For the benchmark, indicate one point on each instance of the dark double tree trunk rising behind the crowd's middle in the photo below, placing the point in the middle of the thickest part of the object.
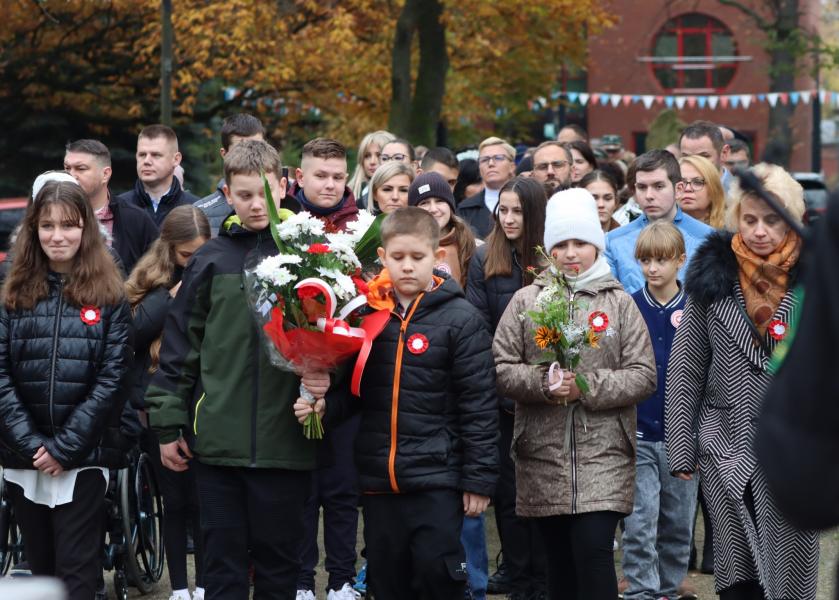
(416, 116)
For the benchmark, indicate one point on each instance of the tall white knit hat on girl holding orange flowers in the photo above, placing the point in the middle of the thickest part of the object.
(572, 215)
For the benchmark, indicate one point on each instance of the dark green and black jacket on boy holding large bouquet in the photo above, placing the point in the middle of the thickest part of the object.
(215, 383)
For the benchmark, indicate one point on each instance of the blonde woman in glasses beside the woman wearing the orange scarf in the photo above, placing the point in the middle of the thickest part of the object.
(702, 195)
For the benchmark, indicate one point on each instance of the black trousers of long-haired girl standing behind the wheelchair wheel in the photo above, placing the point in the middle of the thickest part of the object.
(180, 514)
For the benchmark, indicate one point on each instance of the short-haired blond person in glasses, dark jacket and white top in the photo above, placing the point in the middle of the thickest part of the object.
(497, 163)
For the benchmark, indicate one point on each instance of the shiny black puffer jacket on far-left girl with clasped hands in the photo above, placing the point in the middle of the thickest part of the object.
(60, 381)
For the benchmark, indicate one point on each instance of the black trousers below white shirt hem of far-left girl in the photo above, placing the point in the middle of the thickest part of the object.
(65, 541)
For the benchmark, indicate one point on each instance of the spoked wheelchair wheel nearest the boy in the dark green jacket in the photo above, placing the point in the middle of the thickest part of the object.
(141, 513)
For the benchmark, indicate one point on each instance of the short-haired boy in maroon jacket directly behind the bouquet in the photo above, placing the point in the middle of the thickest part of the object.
(320, 187)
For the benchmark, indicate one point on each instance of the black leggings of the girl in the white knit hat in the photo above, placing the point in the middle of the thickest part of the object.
(581, 563)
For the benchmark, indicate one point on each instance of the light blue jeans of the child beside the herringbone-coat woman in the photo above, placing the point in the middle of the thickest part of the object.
(656, 543)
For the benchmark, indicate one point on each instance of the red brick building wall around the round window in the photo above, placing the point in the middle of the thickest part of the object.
(613, 67)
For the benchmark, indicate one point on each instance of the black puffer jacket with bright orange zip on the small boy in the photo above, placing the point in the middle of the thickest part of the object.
(429, 417)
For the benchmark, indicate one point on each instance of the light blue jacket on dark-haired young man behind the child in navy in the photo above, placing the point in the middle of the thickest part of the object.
(620, 248)
